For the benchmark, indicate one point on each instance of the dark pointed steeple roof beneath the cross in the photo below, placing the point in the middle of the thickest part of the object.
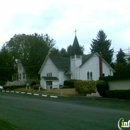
(76, 50)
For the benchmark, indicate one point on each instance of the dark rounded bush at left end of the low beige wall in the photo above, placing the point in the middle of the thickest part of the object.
(102, 87)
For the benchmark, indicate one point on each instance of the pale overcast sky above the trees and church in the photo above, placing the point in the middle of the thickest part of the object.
(60, 18)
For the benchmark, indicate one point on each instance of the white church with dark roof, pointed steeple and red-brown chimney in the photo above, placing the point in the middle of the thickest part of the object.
(55, 70)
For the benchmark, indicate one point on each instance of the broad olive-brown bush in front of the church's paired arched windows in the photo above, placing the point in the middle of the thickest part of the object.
(85, 87)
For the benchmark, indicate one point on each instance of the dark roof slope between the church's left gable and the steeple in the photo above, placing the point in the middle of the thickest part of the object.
(61, 63)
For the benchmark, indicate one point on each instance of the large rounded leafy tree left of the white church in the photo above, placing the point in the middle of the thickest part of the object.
(31, 50)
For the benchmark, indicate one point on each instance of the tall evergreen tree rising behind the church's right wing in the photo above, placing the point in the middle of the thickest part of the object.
(101, 44)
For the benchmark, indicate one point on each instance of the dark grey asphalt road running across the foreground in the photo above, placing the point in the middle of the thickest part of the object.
(40, 113)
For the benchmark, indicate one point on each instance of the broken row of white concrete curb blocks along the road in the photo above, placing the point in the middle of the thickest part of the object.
(29, 93)
